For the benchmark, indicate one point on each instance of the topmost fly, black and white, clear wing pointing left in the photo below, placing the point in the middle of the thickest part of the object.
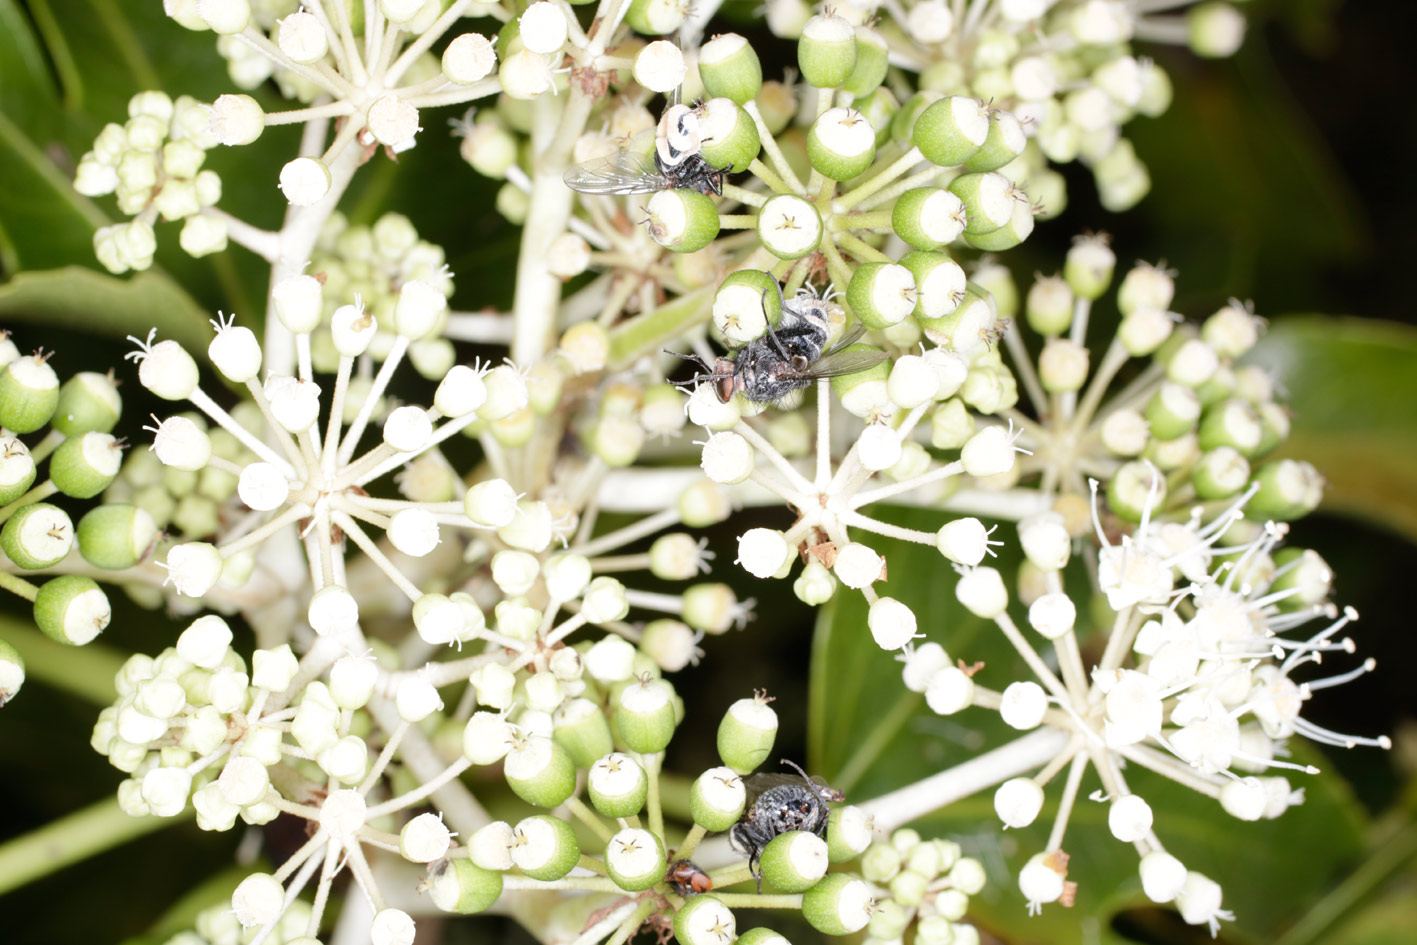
(674, 162)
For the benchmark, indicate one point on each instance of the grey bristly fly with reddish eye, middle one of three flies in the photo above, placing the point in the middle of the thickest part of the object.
(787, 358)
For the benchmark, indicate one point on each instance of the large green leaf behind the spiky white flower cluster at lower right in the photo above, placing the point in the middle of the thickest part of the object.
(869, 736)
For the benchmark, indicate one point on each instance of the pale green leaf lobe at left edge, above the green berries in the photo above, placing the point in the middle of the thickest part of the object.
(83, 300)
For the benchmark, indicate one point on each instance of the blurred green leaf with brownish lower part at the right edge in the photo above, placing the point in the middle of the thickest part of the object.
(1353, 389)
